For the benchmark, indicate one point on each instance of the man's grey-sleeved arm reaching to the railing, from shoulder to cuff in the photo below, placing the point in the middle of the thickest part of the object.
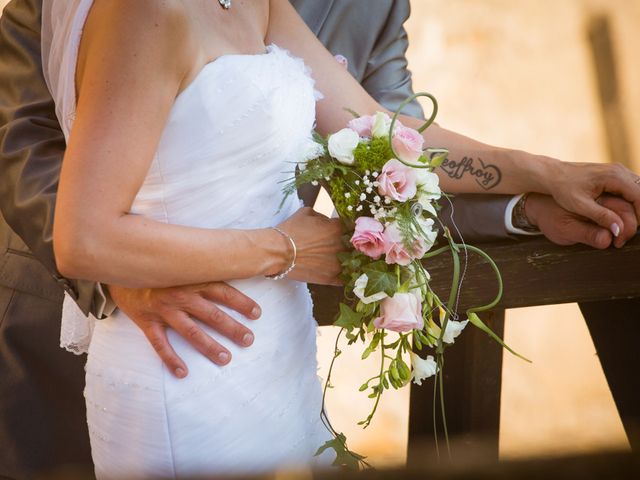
(377, 57)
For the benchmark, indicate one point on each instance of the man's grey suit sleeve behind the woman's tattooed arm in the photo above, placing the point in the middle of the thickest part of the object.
(387, 78)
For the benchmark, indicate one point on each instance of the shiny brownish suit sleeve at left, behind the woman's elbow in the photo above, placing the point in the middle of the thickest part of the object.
(32, 146)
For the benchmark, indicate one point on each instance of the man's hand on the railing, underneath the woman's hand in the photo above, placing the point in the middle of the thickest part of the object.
(566, 228)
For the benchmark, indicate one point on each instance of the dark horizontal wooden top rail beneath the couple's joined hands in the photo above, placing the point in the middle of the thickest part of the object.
(535, 272)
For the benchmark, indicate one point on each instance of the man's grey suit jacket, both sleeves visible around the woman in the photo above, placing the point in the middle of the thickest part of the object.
(31, 143)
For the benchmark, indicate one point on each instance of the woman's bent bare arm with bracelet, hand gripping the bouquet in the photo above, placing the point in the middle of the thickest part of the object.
(135, 60)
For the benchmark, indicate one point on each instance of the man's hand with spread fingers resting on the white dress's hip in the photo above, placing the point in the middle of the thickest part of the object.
(153, 310)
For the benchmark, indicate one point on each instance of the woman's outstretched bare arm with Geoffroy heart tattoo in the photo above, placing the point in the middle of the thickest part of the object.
(574, 186)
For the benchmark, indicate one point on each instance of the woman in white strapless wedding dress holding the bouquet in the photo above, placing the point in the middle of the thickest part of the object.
(181, 118)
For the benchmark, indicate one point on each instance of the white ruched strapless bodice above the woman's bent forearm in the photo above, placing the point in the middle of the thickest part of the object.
(233, 135)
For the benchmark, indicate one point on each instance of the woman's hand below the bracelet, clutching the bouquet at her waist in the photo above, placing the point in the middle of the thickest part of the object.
(317, 240)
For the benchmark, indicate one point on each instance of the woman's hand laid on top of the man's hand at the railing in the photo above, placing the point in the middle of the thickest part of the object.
(577, 187)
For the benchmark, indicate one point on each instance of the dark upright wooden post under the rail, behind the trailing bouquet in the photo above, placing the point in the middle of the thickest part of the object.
(472, 385)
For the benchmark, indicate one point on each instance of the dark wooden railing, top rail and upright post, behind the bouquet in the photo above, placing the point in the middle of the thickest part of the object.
(535, 272)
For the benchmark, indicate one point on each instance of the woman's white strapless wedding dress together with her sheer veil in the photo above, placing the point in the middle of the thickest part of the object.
(231, 136)
